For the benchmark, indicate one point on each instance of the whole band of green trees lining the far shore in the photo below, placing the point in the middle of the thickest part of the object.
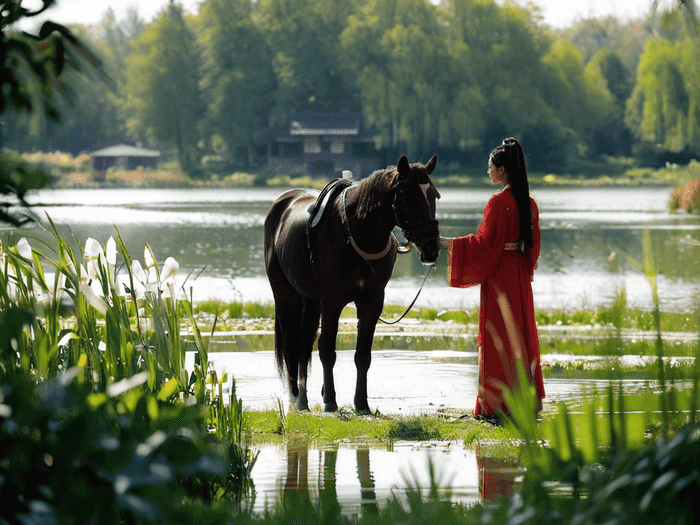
(453, 78)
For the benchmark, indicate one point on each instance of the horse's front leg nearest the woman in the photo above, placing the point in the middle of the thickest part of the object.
(368, 312)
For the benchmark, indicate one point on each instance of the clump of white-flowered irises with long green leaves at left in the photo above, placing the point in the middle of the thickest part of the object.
(126, 332)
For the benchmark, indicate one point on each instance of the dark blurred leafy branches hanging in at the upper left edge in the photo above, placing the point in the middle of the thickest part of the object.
(32, 71)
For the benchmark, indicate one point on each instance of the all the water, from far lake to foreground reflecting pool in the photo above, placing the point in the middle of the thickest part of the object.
(217, 237)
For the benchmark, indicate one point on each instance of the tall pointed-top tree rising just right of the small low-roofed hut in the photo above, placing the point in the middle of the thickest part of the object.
(162, 77)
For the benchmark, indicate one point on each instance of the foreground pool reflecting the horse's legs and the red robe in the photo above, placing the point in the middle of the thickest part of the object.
(361, 478)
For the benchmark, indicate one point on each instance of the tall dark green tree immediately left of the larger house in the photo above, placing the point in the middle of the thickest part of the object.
(238, 81)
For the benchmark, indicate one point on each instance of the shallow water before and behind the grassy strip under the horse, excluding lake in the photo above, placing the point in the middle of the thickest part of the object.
(361, 477)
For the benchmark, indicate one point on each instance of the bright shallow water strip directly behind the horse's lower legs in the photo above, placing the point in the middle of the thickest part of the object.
(404, 382)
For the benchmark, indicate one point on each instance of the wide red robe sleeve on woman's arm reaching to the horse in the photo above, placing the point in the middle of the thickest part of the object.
(474, 258)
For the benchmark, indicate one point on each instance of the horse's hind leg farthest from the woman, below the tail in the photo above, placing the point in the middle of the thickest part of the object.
(288, 320)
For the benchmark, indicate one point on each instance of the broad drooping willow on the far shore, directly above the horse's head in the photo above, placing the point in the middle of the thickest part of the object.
(414, 82)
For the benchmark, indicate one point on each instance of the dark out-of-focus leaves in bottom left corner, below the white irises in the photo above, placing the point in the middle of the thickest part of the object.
(130, 455)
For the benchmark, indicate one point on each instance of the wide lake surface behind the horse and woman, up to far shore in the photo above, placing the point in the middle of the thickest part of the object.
(219, 232)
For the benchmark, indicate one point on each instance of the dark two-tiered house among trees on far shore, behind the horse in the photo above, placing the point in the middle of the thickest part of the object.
(321, 144)
